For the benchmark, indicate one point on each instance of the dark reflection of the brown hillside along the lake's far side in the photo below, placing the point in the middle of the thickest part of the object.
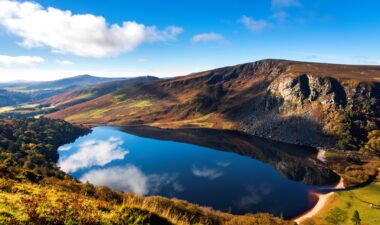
(298, 163)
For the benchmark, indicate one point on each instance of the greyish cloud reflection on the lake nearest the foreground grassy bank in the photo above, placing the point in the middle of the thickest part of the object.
(131, 179)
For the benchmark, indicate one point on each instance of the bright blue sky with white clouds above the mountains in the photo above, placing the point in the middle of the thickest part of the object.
(47, 40)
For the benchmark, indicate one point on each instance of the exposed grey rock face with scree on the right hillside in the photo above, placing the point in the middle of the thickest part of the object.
(299, 107)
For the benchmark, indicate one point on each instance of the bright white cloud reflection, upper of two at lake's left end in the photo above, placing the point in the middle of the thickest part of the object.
(93, 153)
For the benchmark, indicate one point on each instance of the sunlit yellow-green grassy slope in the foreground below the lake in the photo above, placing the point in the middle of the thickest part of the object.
(20, 201)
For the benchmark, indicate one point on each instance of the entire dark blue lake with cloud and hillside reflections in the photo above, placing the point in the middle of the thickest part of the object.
(228, 171)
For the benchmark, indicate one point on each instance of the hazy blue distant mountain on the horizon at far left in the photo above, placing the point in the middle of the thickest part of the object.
(27, 91)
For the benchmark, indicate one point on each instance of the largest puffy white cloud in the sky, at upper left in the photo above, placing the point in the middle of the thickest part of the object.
(78, 34)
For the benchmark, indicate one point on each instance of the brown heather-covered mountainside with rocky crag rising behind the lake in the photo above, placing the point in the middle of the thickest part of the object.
(294, 102)
